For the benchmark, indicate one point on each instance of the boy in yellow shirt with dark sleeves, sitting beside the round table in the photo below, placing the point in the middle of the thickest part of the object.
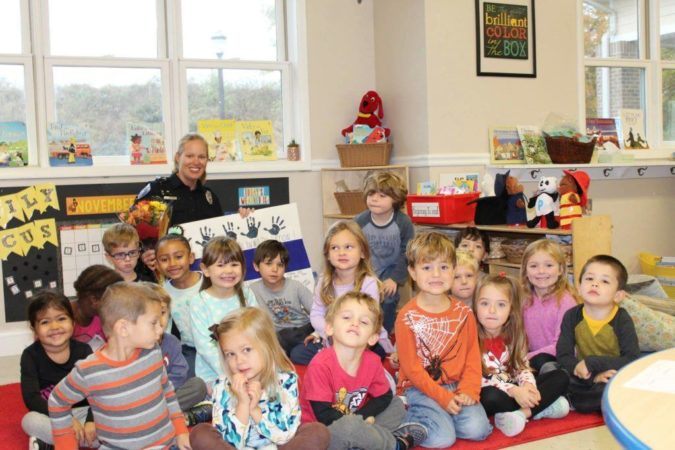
(597, 338)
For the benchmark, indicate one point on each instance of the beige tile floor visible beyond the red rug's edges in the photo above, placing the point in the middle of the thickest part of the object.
(598, 438)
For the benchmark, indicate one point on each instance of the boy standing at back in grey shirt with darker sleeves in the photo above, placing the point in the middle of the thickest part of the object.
(388, 231)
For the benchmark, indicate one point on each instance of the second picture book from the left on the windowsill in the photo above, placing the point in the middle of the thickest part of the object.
(68, 145)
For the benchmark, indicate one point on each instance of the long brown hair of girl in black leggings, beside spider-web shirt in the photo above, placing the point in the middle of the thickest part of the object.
(513, 330)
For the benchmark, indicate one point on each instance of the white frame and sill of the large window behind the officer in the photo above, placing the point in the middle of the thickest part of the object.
(39, 89)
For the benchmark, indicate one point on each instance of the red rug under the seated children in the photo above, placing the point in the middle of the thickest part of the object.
(12, 437)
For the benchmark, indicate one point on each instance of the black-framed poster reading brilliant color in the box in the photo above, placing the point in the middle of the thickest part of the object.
(505, 38)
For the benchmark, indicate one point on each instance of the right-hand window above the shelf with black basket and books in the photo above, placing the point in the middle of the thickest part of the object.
(627, 49)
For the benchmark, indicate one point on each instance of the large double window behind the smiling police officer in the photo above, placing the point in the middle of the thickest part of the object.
(106, 67)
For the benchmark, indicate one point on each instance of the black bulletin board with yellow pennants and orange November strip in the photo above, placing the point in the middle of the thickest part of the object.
(38, 264)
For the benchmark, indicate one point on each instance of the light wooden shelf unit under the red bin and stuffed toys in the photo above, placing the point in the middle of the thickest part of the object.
(591, 235)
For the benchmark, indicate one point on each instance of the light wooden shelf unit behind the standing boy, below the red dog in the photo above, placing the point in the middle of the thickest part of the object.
(353, 178)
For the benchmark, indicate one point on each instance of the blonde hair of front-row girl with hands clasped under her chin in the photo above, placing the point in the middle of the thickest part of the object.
(257, 325)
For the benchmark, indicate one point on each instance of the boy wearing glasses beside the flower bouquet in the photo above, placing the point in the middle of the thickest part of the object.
(122, 249)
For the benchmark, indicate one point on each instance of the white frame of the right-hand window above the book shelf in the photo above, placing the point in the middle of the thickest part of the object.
(649, 44)
